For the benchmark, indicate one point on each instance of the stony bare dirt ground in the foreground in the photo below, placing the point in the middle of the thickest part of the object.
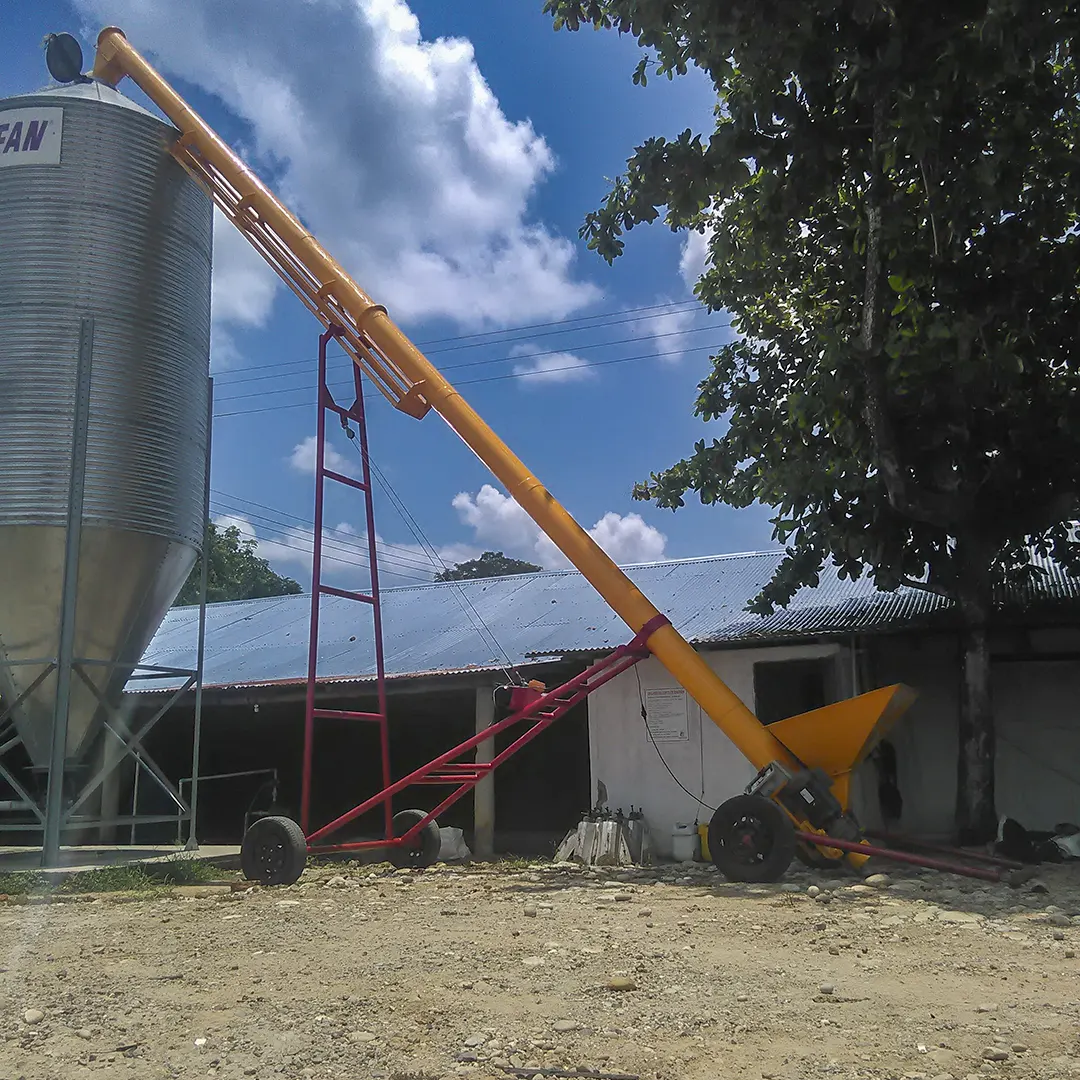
(360, 973)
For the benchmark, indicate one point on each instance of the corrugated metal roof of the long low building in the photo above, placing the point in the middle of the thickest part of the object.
(448, 628)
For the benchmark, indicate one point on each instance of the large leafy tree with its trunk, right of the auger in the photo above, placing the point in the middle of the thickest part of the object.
(890, 199)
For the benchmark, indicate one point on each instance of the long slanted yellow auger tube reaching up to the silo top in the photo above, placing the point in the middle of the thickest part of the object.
(339, 292)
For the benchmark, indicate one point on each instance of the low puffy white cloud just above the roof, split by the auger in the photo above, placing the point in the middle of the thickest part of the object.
(498, 522)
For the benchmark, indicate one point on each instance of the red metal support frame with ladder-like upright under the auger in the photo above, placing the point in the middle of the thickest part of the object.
(535, 709)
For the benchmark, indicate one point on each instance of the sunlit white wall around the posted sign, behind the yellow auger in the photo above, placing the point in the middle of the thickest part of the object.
(626, 762)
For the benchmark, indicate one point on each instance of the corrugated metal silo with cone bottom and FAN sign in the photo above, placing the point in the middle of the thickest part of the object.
(98, 222)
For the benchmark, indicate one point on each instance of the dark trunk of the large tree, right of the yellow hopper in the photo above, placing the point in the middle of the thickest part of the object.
(977, 820)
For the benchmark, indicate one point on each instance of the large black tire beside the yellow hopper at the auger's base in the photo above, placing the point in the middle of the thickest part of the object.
(752, 840)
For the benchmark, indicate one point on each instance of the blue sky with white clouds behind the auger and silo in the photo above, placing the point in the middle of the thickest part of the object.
(447, 155)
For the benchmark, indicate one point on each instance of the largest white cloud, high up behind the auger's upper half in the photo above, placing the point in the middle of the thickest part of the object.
(394, 150)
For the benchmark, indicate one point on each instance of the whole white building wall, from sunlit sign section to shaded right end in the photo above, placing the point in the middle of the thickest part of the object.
(1037, 710)
